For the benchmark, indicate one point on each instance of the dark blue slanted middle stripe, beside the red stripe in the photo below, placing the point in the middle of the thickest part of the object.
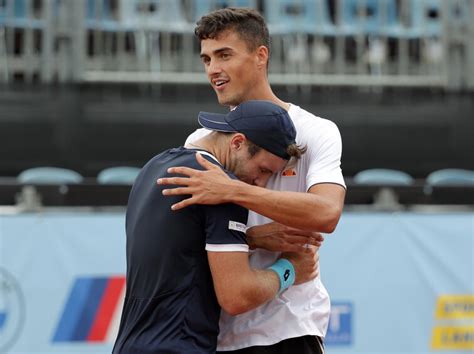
(89, 312)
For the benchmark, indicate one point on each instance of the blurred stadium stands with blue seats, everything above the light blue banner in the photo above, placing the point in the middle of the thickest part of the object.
(149, 45)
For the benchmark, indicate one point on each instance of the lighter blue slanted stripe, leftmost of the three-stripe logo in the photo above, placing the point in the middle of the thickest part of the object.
(75, 305)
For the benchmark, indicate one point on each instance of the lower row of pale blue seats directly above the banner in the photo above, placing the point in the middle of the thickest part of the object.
(380, 188)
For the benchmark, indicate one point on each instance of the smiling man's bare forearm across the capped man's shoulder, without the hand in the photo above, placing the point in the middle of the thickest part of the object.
(306, 211)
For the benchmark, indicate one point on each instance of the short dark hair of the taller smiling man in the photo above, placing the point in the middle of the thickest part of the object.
(246, 22)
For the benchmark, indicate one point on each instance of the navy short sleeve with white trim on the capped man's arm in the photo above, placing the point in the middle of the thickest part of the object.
(225, 228)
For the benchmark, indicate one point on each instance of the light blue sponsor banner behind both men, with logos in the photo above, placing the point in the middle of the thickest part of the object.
(399, 282)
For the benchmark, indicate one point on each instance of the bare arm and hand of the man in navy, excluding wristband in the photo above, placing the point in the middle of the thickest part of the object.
(240, 288)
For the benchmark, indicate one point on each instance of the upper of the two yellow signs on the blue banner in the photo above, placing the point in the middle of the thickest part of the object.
(455, 307)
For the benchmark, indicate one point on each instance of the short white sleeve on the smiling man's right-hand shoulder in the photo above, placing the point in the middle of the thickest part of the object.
(325, 158)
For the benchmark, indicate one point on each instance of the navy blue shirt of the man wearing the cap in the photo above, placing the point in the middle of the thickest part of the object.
(170, 304)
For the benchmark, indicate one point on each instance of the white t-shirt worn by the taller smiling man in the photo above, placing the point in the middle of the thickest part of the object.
(302, 309)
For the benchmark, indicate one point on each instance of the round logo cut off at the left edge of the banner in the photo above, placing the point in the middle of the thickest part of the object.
(12, 310)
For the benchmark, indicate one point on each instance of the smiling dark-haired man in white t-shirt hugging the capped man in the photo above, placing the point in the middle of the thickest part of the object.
(308, 195)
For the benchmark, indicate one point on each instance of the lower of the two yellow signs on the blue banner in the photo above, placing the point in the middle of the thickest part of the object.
(453, 337)
